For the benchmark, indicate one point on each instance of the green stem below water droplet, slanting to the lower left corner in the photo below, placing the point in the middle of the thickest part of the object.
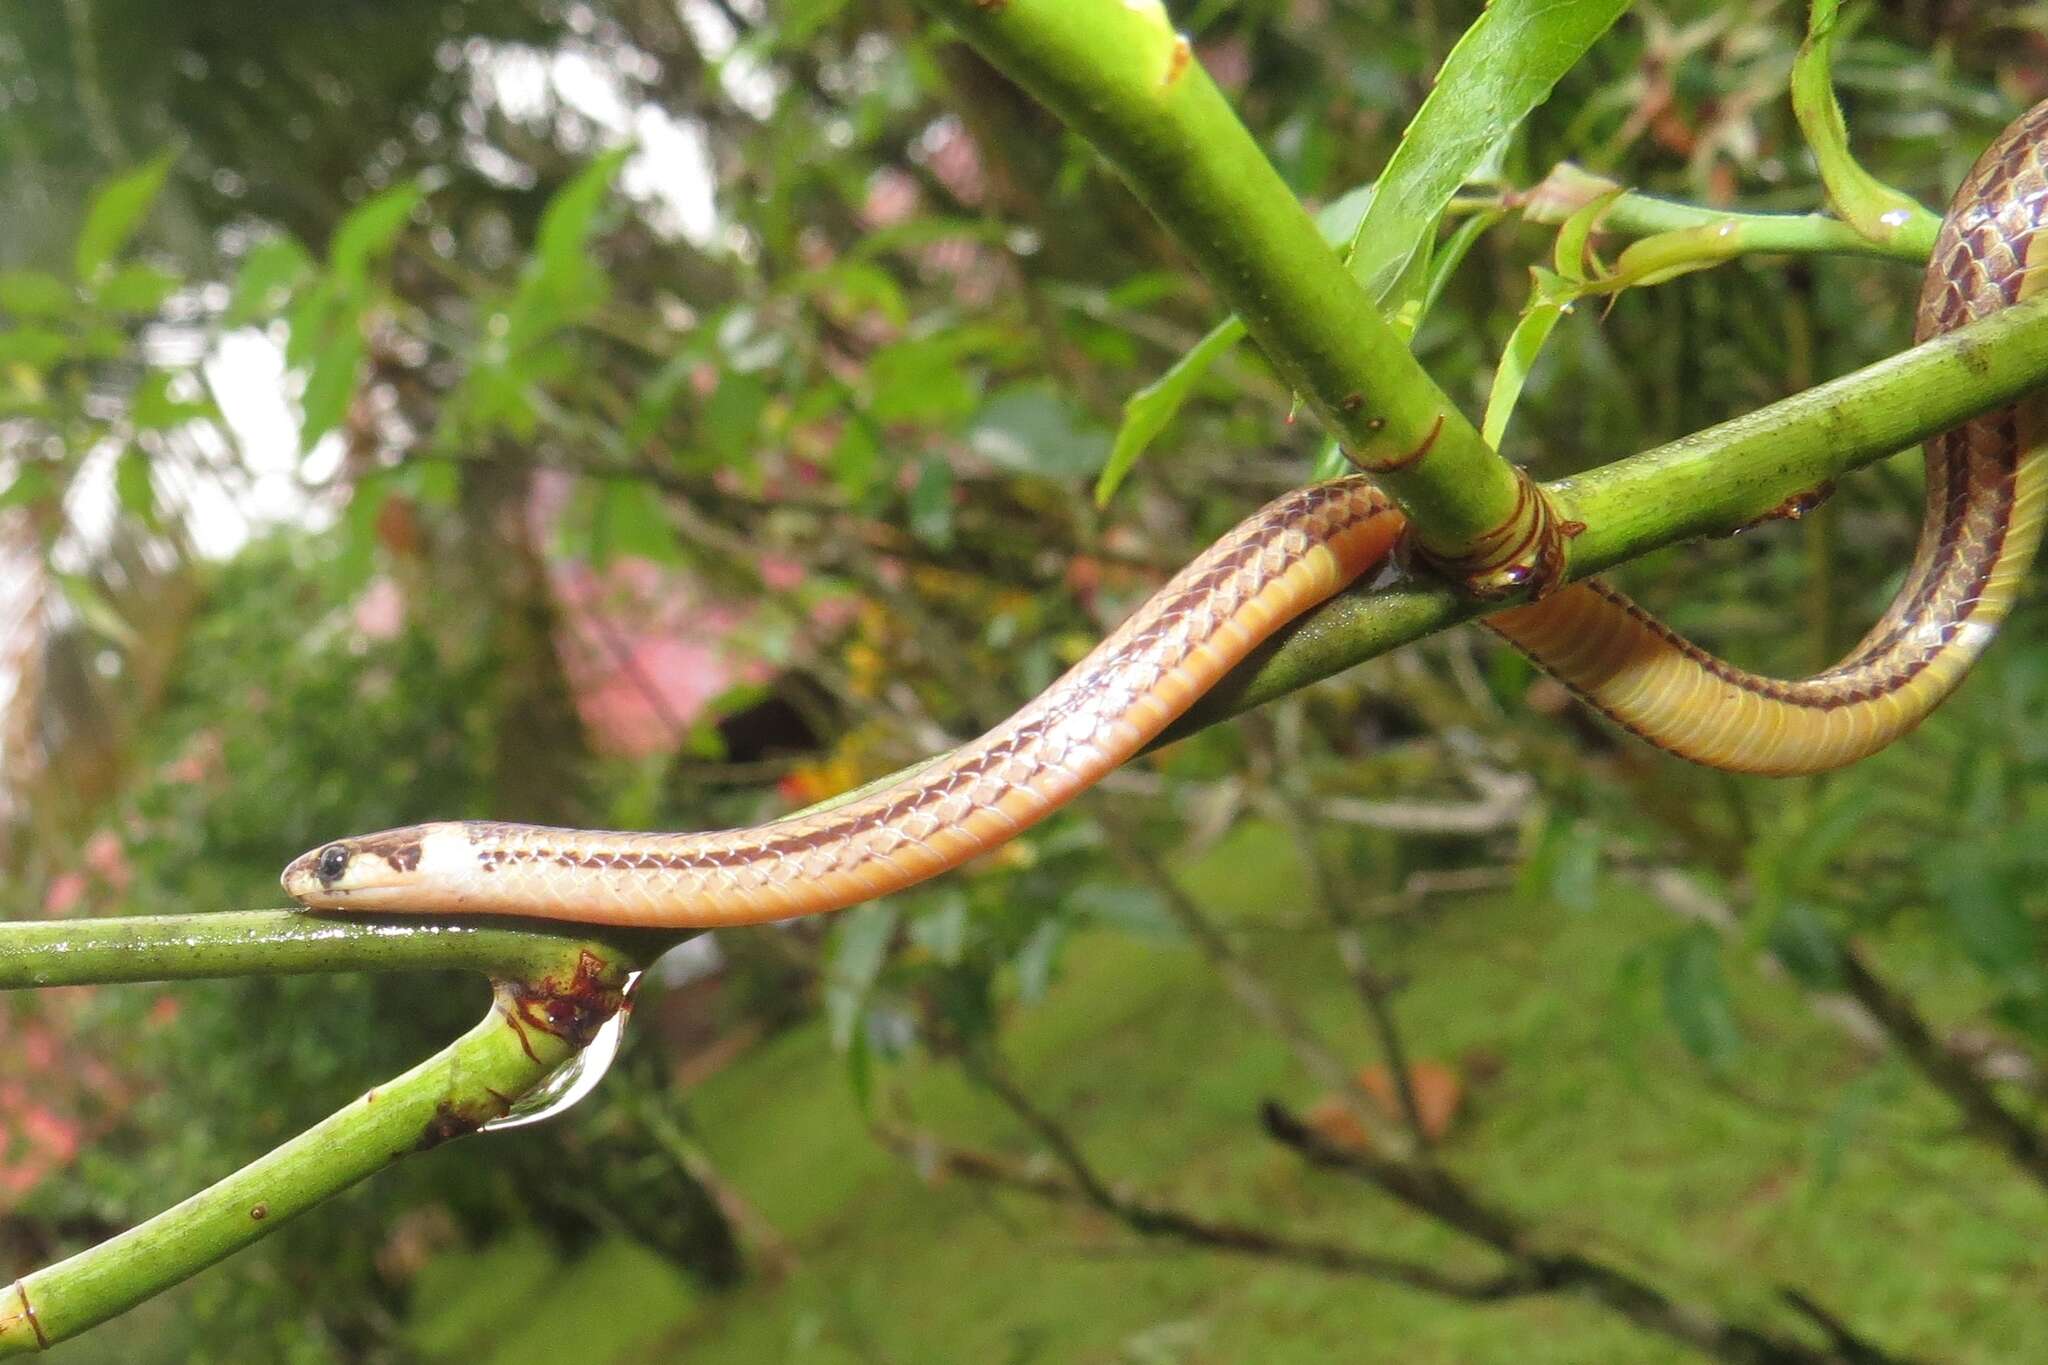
(447, 1096)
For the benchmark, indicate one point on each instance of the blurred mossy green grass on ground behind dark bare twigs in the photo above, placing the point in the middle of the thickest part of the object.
(1807, 1163)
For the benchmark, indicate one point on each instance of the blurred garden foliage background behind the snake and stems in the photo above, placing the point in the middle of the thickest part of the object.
(671, 412)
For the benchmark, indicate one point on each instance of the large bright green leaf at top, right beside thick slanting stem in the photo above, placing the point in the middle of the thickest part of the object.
(1500, 71)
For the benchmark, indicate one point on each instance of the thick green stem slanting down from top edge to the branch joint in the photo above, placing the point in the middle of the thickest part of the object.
(1119, 75)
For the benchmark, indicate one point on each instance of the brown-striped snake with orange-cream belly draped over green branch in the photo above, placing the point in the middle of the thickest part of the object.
(1983, 525)
